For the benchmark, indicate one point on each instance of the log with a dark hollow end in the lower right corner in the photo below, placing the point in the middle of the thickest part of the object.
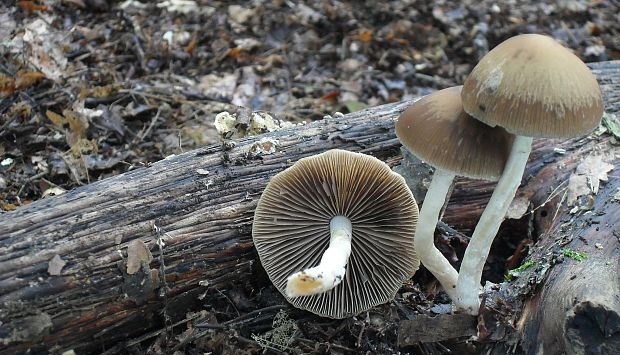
(575, 307)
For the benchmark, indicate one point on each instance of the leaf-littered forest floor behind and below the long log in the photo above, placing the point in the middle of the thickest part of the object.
(94, 88)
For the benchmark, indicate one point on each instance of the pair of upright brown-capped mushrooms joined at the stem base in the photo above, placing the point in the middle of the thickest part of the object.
(529, 86)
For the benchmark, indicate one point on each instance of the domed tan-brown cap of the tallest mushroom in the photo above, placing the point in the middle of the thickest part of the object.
(533, 86)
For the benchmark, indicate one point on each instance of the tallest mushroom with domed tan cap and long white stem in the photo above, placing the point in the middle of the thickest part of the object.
(533, 87)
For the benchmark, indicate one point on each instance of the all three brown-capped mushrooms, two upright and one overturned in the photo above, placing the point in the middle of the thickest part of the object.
(334, 232)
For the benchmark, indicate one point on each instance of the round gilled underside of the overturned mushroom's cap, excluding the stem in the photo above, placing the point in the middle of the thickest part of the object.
(291, 228)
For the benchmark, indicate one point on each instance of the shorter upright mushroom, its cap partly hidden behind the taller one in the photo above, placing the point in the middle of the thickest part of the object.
(438, 131)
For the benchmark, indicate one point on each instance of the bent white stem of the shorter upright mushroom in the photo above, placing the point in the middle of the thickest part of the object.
(424, 243)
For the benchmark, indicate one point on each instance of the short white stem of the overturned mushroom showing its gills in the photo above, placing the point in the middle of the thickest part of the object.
(330, 272)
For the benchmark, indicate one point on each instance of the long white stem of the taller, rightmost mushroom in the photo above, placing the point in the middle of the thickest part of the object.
(470, 274)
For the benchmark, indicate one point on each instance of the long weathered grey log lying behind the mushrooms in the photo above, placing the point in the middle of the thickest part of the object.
(64, 276)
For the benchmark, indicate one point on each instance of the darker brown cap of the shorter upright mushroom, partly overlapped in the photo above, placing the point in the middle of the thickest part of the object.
(438, 131)
